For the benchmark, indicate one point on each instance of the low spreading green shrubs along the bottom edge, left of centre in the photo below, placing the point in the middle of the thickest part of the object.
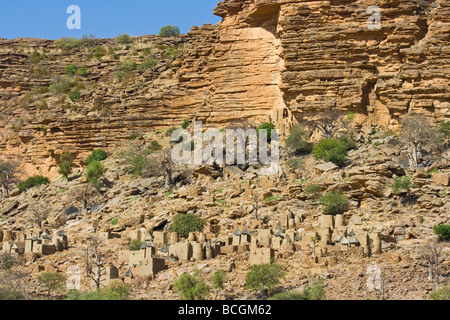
(116, 291)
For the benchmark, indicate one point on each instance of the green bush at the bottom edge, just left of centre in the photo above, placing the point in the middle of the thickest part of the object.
(191, 287)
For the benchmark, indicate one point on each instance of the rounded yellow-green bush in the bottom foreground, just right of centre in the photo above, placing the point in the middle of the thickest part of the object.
(264, 277)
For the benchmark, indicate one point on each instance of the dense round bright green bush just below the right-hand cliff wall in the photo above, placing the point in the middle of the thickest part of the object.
(333, 150)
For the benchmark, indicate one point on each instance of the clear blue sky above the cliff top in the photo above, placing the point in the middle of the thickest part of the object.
(103, 18)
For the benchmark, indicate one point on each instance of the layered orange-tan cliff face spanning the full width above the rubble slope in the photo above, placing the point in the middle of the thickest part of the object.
(296, 56)
